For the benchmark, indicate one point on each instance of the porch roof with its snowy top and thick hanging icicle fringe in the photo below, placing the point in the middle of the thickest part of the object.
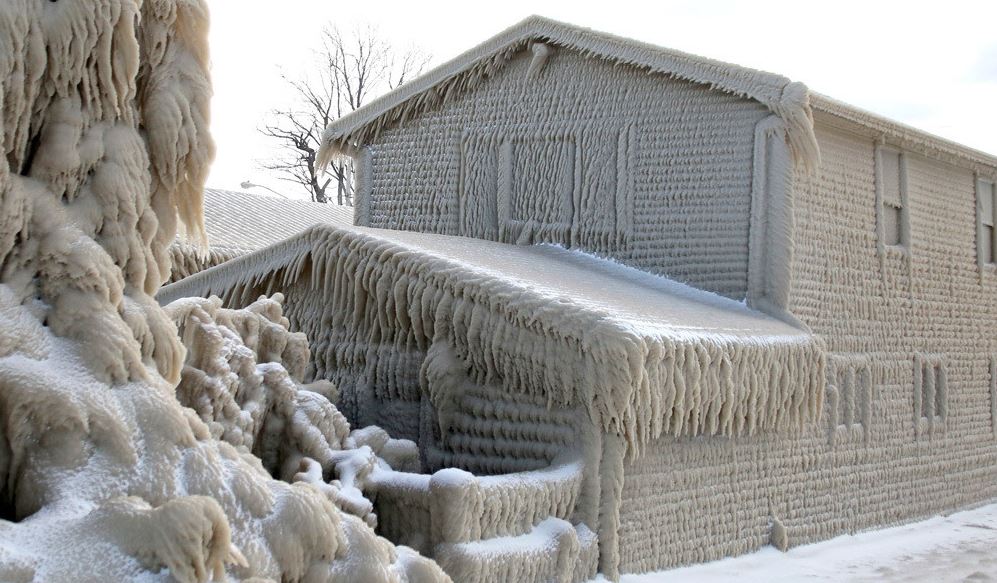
(643, 353)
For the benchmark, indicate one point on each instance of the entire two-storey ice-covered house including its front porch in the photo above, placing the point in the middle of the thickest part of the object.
(841, 376)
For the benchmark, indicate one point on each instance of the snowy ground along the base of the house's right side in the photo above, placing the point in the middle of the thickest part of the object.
(960, 547)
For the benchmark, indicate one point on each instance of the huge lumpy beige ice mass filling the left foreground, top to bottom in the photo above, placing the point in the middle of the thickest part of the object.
(105, 476)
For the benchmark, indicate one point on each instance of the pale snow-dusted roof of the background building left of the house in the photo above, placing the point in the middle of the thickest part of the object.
(241, 222)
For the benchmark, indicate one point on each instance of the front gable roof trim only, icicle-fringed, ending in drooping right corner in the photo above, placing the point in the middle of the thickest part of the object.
(785, 98)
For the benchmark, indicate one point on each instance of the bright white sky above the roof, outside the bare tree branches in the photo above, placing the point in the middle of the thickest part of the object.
(930, 65)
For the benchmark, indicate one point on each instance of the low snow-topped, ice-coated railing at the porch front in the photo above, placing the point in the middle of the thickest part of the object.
(461, 519)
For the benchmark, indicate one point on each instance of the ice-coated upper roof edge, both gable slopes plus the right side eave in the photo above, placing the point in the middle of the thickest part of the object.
(791, 101)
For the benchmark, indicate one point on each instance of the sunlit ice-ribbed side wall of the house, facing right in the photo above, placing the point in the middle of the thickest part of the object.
(883, 313)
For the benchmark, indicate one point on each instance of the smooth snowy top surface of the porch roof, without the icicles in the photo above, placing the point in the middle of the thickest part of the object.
(643, 303)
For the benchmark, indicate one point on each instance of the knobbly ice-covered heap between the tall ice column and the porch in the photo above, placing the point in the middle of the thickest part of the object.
(242, 376)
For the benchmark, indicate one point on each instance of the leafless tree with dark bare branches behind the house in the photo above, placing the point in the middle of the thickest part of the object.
(350, 70)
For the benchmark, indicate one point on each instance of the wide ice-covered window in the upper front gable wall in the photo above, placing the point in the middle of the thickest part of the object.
(566, 186)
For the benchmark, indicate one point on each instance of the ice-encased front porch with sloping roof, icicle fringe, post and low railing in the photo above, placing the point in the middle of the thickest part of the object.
(511, 357)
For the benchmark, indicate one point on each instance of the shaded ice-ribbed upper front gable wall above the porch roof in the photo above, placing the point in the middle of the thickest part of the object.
(578, 150)
